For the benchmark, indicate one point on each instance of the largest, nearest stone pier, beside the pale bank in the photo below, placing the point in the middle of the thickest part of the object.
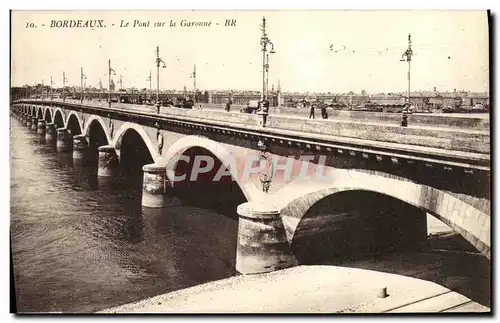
(262, 245)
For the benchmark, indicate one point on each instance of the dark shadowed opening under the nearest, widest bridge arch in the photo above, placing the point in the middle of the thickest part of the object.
(357, 223)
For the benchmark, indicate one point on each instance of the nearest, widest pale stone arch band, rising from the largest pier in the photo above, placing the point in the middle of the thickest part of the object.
(473, 225)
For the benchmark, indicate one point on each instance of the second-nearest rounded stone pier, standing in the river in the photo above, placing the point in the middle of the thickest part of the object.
(154, 187)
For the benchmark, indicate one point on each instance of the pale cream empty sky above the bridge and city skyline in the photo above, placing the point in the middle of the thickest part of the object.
(316, 51)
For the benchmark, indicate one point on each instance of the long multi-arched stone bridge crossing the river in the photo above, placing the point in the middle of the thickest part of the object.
(378, 180)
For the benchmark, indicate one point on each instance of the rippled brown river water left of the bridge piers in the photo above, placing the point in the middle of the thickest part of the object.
(80, 246)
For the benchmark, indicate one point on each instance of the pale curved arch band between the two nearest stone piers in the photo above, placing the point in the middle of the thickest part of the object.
(186, 143)
